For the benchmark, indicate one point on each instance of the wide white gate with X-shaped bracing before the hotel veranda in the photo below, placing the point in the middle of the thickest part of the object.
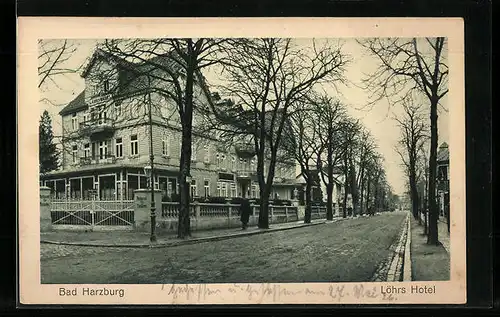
(92, 213)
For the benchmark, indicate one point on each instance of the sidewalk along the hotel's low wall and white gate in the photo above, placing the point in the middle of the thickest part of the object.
(133, 239)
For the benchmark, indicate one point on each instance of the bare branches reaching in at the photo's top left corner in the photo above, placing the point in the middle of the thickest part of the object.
(52, 58)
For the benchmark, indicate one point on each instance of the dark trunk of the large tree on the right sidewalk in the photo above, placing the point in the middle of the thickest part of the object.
(432, 237)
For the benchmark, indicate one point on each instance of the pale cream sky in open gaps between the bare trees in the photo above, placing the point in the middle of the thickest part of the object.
(378, 119)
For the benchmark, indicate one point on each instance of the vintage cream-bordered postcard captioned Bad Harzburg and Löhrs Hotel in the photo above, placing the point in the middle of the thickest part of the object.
(241, 161)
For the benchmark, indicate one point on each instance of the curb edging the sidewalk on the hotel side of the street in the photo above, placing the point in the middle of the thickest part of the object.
(187, 242)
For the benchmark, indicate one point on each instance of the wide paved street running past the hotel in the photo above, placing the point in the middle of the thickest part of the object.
(348, 250)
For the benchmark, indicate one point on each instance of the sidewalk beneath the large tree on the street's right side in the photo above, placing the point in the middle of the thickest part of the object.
(429, 262)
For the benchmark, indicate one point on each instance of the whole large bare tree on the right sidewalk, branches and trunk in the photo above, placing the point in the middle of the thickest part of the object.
(408, 66)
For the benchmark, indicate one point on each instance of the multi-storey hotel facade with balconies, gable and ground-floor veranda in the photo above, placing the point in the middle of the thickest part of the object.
(106, 143)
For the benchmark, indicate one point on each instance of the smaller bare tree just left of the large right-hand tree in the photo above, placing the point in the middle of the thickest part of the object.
(413, 136)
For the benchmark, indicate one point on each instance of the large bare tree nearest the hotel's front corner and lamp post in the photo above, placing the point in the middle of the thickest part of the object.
(173, 69)
